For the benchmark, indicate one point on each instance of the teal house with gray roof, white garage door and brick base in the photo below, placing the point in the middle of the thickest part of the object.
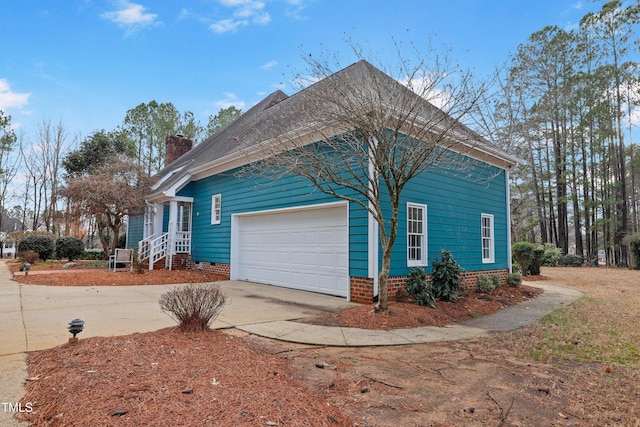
(209, 211)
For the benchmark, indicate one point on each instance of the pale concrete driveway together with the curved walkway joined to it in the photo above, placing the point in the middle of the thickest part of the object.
(35, 318)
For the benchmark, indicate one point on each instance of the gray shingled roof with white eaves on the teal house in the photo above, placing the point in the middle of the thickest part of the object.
(278, 114)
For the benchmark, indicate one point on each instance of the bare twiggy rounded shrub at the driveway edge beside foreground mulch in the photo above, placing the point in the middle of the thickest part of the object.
(193, 306)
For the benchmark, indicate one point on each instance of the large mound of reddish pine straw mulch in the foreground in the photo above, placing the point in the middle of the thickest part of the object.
(172, 378)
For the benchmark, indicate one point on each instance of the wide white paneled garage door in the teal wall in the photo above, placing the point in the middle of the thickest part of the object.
(304, 249)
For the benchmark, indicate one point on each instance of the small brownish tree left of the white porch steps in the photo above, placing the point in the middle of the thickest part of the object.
(108, 195)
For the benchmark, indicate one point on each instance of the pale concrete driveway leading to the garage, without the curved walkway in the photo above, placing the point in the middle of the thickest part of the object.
(35, 317)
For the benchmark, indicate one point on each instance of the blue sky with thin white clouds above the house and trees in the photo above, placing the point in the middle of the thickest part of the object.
(86, 62)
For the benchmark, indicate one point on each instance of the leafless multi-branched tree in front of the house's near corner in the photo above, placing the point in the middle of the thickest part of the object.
(362, 134)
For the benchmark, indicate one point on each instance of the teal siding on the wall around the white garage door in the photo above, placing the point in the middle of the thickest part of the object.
(212, 243)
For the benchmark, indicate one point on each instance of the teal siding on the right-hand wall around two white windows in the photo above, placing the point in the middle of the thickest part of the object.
(455, 202)
